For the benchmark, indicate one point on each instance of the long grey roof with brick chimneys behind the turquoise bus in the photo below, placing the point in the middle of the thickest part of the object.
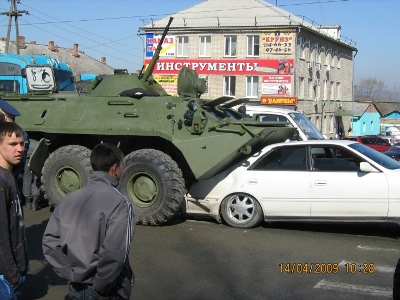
(79, 65)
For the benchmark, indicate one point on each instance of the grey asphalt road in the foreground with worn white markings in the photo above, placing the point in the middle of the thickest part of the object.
(192, 259)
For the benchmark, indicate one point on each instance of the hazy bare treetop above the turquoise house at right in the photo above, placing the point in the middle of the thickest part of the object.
(369, 89)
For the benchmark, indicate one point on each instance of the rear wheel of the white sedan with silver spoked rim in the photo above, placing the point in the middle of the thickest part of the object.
(242, 211)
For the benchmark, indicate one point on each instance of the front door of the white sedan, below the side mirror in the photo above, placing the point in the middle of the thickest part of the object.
(340, 189)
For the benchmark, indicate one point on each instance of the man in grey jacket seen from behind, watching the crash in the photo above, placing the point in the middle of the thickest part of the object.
(87, 238)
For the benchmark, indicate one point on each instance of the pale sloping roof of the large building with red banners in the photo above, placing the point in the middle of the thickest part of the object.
(211, 14)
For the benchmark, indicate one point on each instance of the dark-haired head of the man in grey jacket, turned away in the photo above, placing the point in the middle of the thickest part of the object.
(107, 158)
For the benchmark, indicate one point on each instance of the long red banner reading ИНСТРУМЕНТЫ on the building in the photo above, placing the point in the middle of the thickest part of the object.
(226, 66)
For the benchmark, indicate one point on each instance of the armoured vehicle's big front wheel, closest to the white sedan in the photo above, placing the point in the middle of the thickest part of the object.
(154, 184)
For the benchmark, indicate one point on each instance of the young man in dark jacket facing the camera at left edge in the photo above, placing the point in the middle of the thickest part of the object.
(13, 259)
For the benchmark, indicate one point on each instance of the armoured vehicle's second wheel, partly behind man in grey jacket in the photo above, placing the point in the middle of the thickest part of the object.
(66, 170)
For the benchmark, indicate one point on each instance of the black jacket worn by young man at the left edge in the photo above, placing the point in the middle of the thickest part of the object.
(13, 257)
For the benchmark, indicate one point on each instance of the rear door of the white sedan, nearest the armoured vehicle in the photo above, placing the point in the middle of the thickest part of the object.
(280, 180)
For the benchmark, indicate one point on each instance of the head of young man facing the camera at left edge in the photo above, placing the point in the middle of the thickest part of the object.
(11, 144)
